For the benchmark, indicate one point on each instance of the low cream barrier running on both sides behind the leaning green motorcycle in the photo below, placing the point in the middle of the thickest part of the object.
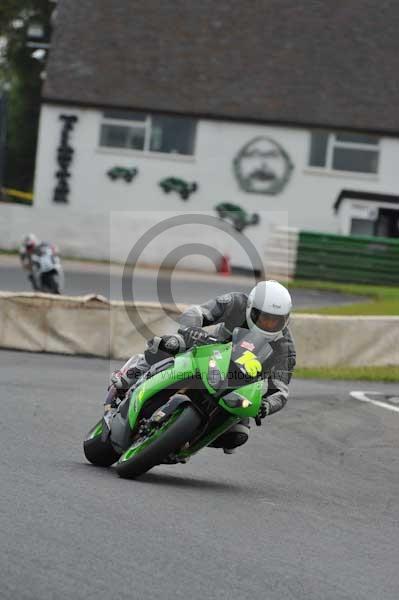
(91, 325)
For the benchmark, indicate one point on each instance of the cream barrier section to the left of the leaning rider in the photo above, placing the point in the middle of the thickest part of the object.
(86, 325)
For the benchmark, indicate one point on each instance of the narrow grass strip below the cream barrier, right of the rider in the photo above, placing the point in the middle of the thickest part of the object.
(387, 374)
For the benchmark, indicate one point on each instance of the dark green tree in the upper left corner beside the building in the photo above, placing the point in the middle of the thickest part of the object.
(22, 74)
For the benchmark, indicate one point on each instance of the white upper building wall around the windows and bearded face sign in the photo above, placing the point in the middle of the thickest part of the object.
(308, 197)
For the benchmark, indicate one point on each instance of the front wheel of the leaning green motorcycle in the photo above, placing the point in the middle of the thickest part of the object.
(149, 451)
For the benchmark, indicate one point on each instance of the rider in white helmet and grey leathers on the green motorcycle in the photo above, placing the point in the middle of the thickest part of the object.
(265, 310)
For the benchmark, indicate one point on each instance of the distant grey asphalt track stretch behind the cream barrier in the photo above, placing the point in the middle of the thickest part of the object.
(81, 278)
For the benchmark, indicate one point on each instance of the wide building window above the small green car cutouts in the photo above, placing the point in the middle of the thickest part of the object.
(148, 133)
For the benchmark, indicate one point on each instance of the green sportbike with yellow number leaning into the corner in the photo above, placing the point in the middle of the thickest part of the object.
(182, 404)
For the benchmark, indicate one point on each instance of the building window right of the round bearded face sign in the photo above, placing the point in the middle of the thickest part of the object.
(344, 152)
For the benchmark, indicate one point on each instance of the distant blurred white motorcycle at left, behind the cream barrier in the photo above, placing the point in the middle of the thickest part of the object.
(47, 274)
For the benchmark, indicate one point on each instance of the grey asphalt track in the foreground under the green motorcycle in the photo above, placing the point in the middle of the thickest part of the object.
(307, 510)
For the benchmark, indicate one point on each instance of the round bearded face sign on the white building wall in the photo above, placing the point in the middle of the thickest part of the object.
(262, 167)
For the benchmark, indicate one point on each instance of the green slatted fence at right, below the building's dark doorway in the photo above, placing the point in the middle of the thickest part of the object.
(347, 259)
